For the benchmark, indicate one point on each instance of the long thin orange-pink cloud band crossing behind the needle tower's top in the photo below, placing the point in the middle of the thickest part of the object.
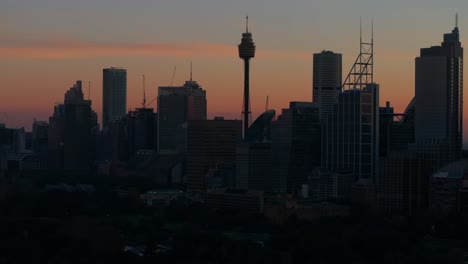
(72, 49)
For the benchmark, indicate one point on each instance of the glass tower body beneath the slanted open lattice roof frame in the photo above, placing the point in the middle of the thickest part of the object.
(351, 134)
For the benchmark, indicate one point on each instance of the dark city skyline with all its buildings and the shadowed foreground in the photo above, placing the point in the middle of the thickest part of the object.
(337, 174)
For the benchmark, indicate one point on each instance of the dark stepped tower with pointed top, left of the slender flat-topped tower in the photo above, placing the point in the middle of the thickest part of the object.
(73, 129)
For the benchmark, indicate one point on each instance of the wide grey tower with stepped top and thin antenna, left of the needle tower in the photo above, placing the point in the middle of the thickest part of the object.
(177, 105)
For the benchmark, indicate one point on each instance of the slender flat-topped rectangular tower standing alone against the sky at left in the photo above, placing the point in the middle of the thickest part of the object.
(114, 94)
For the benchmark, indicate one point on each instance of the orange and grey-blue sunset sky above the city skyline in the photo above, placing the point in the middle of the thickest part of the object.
(46, 45)
